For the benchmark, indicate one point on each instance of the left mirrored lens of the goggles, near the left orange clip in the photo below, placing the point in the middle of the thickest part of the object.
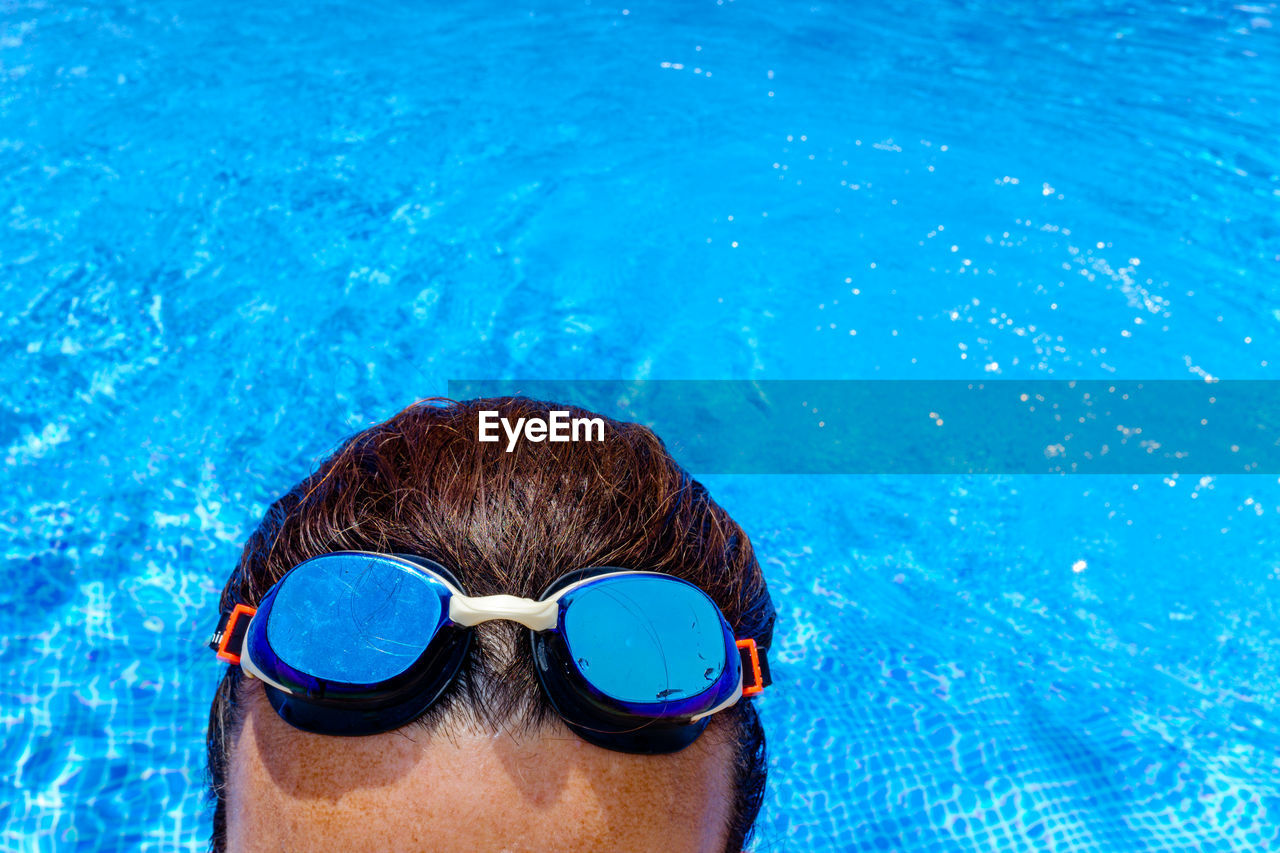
(353, 619)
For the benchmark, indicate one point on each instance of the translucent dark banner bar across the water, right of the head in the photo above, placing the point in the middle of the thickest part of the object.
(938, 427)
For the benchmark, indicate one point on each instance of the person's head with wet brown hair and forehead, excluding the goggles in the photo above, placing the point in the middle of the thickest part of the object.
(492, 765)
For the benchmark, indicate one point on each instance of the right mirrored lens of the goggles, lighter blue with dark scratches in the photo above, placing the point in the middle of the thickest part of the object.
(646, 640)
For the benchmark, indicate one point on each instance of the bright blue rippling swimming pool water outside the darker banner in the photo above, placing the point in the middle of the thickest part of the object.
(232, 236)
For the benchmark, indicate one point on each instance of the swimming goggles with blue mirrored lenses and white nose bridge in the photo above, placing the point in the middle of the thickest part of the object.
(355, 644)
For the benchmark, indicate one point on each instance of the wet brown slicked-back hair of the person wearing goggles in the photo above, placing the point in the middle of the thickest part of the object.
(510, 523)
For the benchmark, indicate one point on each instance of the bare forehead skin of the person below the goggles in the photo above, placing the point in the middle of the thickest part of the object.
(469, 792)
